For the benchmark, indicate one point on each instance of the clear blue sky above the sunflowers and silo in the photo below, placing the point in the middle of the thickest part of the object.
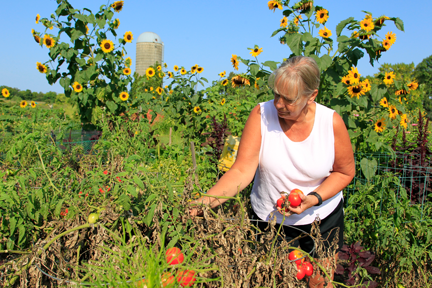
(206, 33)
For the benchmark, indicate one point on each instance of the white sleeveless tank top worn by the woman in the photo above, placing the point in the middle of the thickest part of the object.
(285, 165)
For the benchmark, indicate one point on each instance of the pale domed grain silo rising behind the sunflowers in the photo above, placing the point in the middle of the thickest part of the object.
(149, 50)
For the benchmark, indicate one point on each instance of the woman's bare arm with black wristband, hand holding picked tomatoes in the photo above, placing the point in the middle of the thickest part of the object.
(343, 168)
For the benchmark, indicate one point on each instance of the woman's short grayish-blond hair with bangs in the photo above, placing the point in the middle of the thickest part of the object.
(297, 74)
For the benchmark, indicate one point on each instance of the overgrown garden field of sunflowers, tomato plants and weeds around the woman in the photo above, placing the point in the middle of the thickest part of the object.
(98, 193)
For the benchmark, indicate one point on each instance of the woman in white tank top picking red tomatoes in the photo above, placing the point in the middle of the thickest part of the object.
(292, 142)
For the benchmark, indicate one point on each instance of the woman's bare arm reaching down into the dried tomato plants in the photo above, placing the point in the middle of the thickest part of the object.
(243, 170)
